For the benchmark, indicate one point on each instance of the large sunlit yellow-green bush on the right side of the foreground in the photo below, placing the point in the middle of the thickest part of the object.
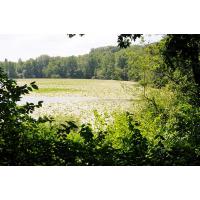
(171, 125)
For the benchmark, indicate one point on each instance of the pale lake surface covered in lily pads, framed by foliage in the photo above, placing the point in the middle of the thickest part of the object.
(80, 97)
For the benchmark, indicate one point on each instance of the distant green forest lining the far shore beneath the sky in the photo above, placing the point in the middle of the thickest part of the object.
(101, 63)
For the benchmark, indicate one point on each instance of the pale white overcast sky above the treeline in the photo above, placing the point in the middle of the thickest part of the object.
(15, 46)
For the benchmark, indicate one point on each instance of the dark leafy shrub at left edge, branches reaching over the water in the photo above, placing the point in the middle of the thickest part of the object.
(14, 119)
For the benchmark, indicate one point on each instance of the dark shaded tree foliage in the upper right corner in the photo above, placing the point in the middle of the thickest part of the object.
(183, 51)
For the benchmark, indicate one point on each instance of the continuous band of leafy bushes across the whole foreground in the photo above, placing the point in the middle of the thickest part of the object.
(165, 131)
